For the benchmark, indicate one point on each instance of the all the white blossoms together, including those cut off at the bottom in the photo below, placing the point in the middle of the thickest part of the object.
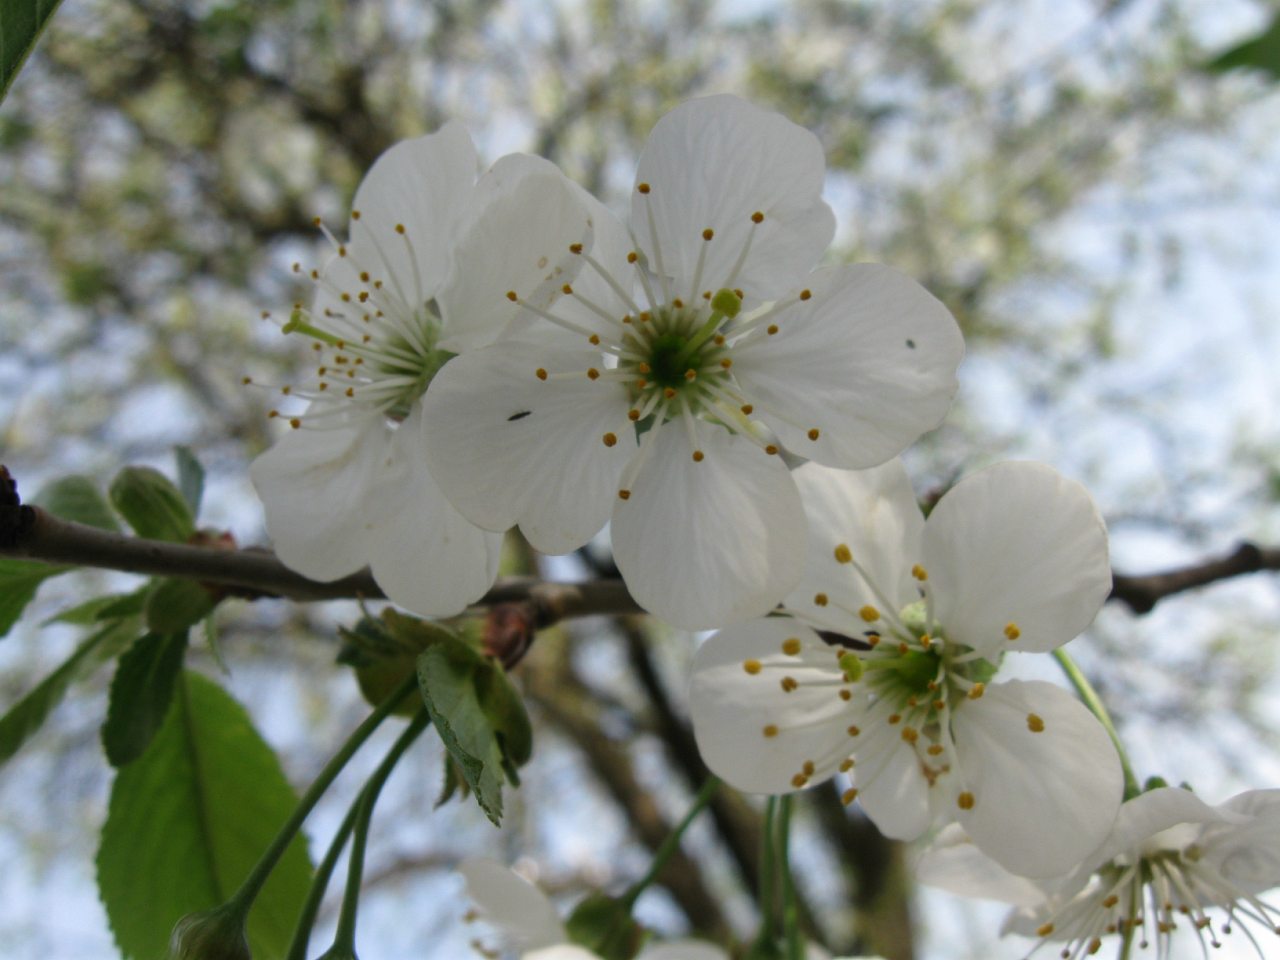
(499, 349)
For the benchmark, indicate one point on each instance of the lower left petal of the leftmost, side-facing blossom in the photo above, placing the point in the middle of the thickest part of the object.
(313, 484)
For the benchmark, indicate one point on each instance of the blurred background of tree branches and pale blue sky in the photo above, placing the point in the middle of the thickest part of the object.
(1098, 209)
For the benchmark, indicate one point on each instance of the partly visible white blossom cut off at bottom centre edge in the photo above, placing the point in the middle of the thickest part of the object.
(532, 927)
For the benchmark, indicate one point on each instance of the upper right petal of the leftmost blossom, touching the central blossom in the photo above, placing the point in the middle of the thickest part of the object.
(525, 218)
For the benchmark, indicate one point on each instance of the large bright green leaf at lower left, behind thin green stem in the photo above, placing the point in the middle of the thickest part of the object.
(188, 822)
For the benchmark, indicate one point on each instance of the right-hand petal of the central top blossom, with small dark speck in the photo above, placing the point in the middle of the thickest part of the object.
(868, 362)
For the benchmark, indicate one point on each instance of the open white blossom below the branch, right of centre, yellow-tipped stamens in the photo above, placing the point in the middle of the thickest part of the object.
(921, 612)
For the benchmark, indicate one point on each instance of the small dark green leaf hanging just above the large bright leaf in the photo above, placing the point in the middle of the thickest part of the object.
(141, 693)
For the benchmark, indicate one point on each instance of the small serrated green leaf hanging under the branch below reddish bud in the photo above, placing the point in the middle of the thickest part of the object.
(470, 710)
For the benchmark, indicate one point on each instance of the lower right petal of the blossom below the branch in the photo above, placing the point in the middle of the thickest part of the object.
(1045, 779)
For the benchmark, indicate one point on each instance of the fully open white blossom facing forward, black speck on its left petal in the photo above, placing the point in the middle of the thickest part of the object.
(691, 351)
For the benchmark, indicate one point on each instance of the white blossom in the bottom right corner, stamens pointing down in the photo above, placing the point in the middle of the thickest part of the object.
(1169, 862)
